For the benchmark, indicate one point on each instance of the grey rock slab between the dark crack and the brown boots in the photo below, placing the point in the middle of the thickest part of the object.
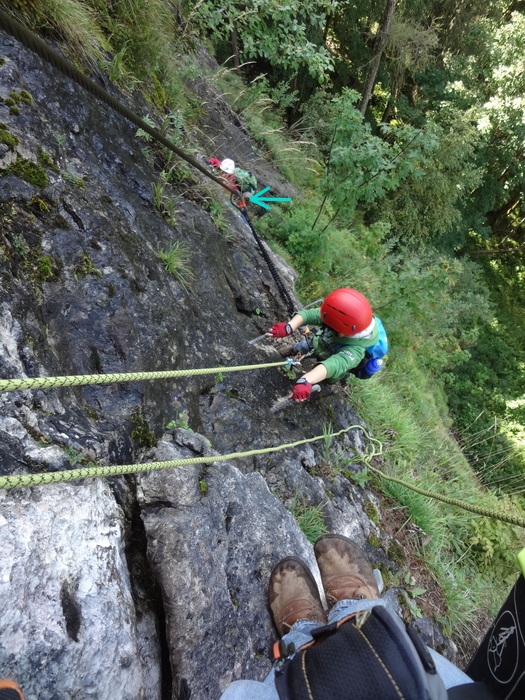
(213, 537)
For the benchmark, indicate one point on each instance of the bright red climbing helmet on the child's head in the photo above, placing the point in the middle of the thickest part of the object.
(346, 311)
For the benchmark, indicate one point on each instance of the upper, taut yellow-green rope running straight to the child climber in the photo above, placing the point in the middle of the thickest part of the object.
(84, 379)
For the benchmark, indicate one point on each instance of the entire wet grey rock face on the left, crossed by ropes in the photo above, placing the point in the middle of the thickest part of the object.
(123, 588)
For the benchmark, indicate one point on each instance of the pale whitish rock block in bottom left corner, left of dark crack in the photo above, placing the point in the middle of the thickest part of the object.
(65, 586)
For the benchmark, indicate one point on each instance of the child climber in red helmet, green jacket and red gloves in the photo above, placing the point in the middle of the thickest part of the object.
(348, 328)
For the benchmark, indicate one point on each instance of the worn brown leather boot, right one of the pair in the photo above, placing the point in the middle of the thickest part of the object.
(345, 570)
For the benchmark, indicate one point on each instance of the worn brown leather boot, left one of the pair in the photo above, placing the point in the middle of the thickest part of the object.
(293, 595)
